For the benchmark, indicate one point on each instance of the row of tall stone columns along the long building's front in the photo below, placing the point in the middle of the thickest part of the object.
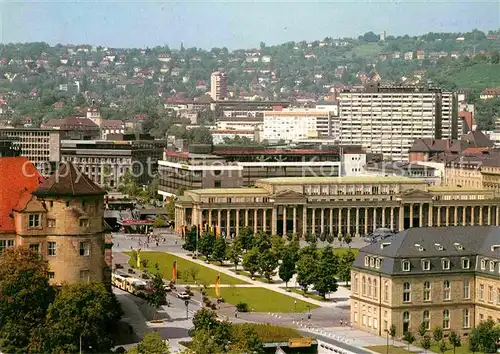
(389, 216)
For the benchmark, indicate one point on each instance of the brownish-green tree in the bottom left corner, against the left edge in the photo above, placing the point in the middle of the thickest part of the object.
(25, 295)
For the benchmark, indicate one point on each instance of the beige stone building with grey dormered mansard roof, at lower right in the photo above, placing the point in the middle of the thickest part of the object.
(446, 277)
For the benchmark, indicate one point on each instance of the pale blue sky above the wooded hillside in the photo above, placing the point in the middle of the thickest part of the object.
(234, 23)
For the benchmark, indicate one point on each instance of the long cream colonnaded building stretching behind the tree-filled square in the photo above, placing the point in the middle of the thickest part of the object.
(335, 205)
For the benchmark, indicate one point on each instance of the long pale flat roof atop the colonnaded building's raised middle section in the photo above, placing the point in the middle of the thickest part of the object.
(360, 179)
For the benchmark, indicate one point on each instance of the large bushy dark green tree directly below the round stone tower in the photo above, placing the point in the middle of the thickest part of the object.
(81, 311)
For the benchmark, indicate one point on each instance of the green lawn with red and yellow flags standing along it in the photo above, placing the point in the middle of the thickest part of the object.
(165, 263)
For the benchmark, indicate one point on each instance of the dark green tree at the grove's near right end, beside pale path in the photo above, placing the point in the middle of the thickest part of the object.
(324, 280)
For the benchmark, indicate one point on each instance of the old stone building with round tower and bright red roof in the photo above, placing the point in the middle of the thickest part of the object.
(62, 218)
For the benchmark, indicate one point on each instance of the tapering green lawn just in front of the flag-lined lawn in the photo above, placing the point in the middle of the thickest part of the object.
(261, 299)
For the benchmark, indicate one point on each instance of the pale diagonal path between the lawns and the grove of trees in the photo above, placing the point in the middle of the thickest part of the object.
(273, 287)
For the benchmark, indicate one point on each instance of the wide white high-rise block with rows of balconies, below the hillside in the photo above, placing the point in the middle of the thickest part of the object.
(387, 119)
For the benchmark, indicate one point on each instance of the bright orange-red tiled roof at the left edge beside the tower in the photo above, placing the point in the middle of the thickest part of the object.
(18, 178)
